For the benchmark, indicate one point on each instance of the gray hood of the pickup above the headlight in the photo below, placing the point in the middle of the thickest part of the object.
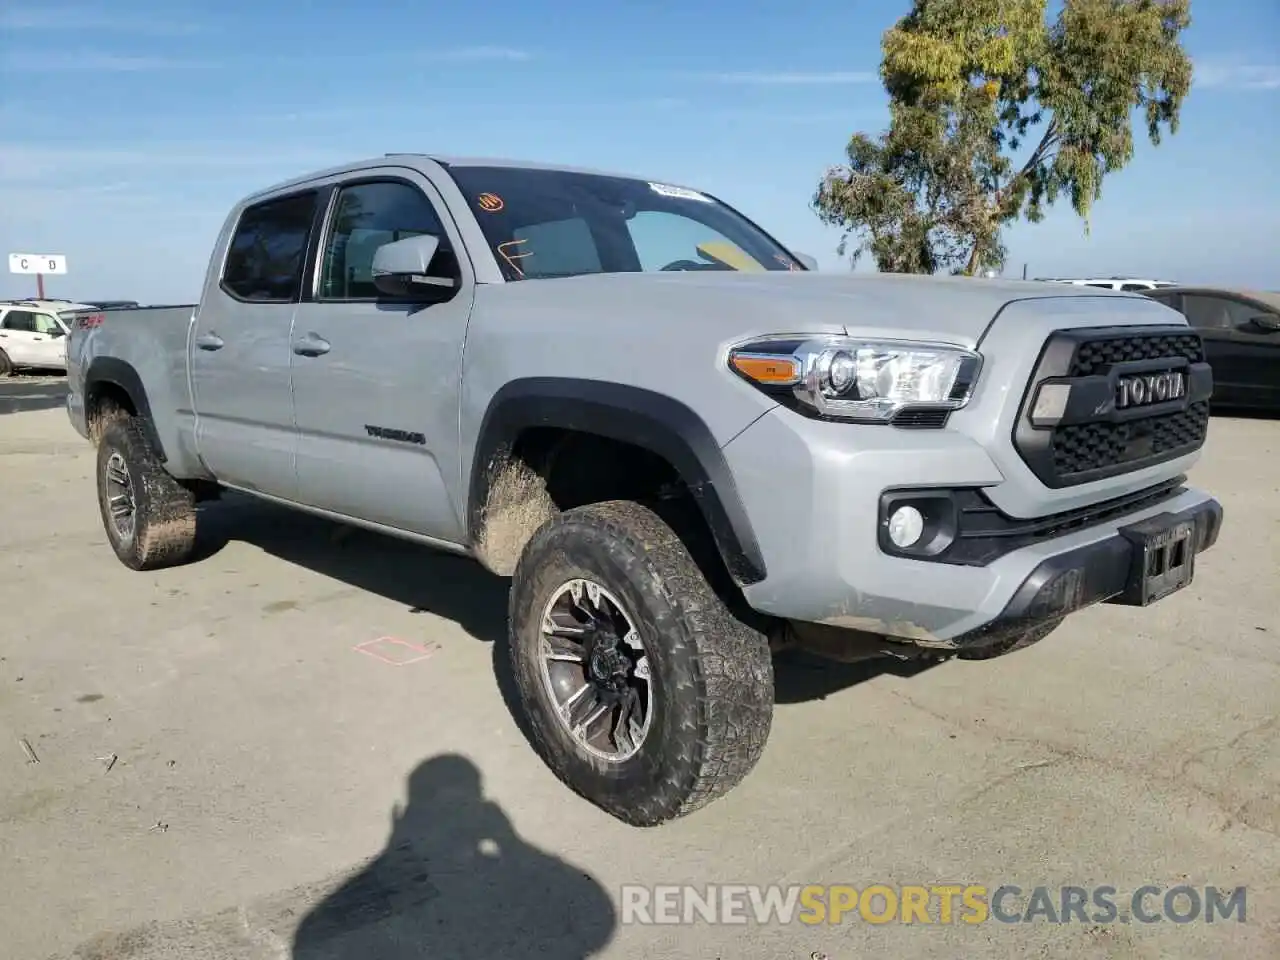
(954, 310)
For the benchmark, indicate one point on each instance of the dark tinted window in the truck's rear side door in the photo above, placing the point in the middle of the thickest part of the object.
(267, 254)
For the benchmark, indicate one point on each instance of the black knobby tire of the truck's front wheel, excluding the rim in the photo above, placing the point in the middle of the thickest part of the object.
(711, 675)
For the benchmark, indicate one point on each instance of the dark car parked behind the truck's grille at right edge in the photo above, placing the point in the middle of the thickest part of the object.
(1242, 341)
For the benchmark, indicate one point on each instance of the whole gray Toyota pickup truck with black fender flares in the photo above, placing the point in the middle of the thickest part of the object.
(685, 446)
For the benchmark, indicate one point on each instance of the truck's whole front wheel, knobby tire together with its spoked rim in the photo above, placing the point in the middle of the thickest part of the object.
(685, 688)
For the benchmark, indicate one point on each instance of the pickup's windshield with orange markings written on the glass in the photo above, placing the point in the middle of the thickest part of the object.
(551, 223)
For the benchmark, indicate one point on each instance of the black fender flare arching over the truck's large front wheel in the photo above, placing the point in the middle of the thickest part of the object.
(651, 420)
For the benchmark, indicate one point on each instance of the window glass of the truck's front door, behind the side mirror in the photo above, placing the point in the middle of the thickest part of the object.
(367, 217)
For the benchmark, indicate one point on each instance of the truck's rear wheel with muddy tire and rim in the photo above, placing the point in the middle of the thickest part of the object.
(150, 519)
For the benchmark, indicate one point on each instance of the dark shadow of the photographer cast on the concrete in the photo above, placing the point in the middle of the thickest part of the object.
(456, 881)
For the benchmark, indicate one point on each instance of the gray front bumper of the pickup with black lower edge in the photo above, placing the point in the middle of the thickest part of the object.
(816, 495)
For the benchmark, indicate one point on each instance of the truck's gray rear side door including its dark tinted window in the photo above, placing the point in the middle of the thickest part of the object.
(240, 351)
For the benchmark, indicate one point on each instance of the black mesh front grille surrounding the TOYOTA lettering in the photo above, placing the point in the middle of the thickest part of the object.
(1094, 440)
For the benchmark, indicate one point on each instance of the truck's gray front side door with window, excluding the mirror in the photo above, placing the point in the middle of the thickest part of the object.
(377, 382)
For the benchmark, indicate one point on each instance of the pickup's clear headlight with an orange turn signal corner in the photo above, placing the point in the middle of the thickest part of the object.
(874, 382)
